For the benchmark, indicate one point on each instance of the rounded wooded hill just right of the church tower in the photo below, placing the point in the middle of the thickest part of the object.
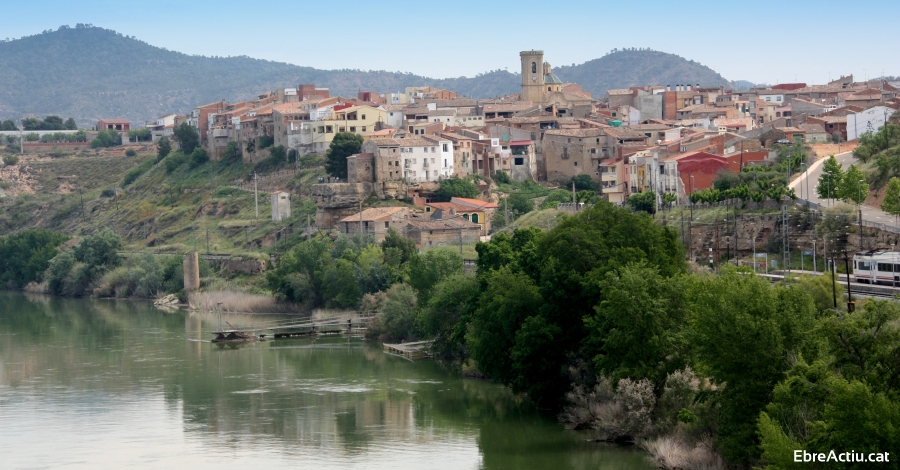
(633, 67)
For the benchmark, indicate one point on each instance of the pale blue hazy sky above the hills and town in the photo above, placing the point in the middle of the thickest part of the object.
(760, 41)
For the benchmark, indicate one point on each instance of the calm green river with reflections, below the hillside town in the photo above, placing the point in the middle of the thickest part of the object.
(115, 384)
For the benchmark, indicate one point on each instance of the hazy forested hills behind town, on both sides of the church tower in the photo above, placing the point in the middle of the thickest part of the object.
(90, 73)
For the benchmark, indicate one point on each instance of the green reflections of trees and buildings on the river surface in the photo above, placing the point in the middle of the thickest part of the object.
(296, 396)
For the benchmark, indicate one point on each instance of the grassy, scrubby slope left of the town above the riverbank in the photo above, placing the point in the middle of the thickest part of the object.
(159, 211)
